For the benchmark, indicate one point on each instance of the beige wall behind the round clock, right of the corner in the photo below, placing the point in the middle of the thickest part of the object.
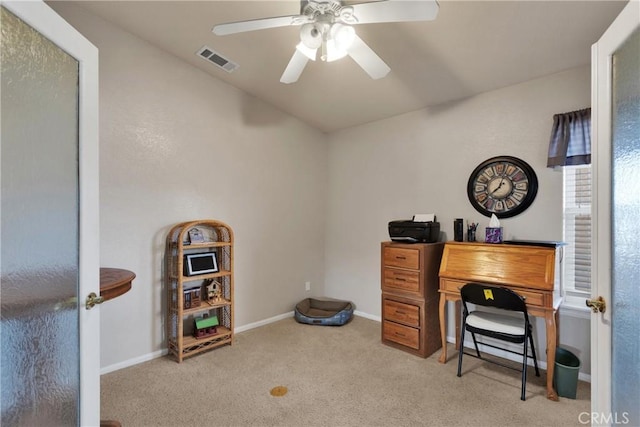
(420, 163)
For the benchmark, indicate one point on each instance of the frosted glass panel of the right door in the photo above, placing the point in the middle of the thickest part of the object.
(625, 132)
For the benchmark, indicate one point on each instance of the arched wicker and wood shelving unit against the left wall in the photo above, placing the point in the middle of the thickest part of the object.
(218, 239)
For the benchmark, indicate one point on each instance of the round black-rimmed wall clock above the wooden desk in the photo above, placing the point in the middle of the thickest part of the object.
(502, 185)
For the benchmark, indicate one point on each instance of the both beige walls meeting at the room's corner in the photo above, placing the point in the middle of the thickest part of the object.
(177, 144)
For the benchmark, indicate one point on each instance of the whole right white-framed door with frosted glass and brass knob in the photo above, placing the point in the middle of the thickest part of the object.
(615, 386)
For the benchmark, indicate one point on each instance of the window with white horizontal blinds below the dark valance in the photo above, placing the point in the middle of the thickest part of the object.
(577, 228)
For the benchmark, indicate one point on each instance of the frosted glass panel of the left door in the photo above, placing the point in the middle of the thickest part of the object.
(39, 229)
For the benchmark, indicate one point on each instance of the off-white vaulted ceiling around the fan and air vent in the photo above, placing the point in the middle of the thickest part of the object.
(471, 47)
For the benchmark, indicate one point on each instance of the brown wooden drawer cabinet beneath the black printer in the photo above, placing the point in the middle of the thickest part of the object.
(409, 282)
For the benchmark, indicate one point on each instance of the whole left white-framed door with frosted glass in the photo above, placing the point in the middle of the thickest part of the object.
(49, 221)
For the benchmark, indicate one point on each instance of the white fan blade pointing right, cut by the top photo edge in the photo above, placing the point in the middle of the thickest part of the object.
(395, 11)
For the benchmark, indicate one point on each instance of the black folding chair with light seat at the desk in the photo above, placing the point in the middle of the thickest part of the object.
(509, 323)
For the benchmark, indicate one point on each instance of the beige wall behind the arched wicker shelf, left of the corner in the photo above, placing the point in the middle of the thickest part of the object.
(176, 145)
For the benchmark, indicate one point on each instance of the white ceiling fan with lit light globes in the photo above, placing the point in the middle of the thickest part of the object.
(328, 25)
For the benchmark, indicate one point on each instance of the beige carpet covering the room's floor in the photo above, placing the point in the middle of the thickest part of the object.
(335, 376)
